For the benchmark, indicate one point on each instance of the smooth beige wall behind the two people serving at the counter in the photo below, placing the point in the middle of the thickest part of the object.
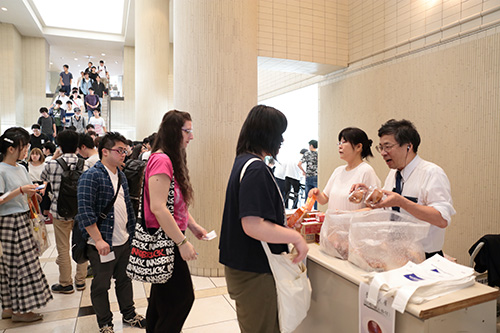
(451, 93)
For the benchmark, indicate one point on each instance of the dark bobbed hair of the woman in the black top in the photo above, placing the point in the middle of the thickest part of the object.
(262, 131)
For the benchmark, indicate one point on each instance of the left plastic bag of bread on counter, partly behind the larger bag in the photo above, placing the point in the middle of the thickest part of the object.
(334, 235)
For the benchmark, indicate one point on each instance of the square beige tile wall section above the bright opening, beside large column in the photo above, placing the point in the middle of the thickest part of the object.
(304, 30)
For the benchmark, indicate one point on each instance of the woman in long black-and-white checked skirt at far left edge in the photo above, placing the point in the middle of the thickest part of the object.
(23, 286)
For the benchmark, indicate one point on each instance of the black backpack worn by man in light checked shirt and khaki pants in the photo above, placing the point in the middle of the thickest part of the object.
(67, 203)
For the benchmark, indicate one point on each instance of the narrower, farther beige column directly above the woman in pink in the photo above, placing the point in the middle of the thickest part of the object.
(151, 65)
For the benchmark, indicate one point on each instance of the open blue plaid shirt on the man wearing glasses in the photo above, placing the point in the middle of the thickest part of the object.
(95, 191)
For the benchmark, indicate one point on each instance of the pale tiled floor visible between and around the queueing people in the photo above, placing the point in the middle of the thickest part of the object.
(213, 310)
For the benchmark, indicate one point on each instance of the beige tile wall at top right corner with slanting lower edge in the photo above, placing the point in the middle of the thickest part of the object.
(391, 27)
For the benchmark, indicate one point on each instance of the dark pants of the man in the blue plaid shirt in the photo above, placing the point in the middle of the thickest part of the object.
(99, 292)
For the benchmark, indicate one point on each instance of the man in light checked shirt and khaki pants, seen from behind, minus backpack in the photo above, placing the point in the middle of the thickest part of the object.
(68, 142)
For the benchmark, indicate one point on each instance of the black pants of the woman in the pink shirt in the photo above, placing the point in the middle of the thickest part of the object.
(170, 302)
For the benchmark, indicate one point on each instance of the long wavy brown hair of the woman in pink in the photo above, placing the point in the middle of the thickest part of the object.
(169, 139)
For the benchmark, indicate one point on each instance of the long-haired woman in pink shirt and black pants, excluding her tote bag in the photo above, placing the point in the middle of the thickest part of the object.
(170, 302)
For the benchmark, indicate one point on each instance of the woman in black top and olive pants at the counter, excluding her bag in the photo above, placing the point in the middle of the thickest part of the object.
(254, 211)
